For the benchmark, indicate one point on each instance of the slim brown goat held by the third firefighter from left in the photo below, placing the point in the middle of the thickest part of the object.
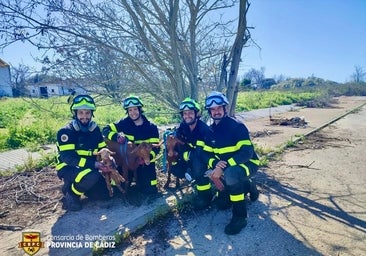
(171, 143)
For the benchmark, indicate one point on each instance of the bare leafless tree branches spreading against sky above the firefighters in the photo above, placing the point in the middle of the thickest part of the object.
(168, 48)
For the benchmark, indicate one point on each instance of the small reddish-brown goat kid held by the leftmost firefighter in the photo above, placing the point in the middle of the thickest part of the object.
(105, 157)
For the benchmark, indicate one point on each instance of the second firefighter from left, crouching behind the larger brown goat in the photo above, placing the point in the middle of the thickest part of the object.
(136, 128)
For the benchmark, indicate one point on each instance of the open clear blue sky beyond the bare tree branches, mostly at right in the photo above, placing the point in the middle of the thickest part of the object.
(298, 39)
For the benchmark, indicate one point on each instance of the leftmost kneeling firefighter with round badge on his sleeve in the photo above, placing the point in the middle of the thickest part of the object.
(76, 163)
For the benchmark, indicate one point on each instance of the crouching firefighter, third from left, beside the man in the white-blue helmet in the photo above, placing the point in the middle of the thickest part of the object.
(193, 132)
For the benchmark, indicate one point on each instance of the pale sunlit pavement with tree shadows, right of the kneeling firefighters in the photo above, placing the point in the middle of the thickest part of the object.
(312, 199)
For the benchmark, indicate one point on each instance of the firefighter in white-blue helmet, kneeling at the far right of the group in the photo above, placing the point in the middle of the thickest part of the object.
(230, 154)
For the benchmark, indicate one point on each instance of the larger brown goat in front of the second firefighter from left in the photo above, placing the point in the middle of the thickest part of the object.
(130, 156)
